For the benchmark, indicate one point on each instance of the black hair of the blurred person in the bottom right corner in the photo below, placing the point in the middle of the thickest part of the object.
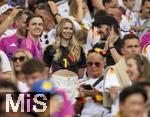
(134, 89)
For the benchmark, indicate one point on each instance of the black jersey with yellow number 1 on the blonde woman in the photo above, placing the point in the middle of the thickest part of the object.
(66, 61)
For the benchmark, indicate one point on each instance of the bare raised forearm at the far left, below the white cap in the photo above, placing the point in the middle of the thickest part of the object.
(6, 23)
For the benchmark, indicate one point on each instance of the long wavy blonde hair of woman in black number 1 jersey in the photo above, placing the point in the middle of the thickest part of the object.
(73, 45)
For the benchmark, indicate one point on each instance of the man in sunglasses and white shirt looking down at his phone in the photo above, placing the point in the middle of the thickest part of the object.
(91, 87)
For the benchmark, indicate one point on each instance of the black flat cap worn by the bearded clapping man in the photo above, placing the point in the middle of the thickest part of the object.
(108, 20)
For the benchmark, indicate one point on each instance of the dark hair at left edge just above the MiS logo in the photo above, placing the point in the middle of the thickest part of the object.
(8, 85)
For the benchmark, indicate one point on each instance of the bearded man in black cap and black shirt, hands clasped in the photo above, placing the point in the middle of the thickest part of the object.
(110, 39)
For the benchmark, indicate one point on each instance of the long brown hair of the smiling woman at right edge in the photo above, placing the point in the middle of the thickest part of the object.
(143, 66)
